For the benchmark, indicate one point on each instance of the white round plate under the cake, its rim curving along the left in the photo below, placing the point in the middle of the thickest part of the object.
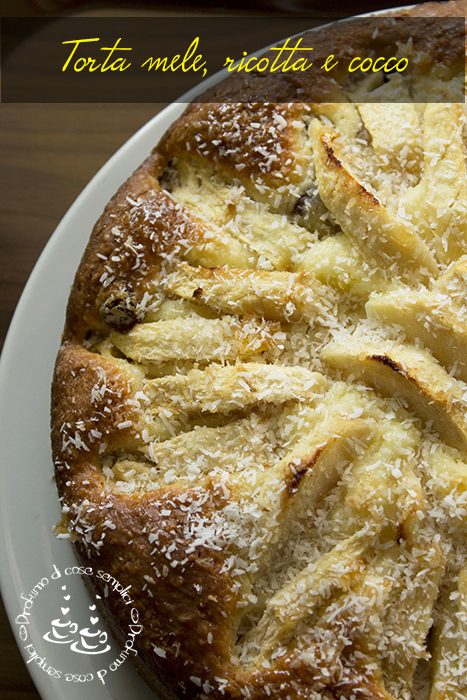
(28, 499)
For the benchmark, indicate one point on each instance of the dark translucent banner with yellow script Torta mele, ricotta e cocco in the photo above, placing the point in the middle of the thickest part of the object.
(261, 59)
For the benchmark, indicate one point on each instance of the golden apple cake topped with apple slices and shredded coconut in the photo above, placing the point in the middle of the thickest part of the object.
(259, 411)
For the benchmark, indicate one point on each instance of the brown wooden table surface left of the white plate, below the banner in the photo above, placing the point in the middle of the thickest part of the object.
(48, 154)
